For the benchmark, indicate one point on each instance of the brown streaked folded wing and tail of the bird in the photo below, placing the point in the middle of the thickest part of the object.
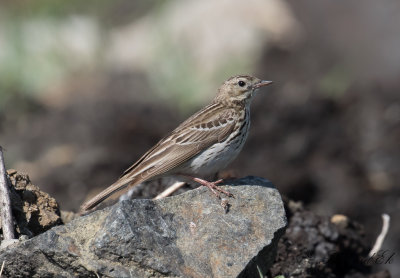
(210, 125)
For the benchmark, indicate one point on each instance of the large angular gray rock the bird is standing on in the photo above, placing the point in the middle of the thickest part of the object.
(188, 235)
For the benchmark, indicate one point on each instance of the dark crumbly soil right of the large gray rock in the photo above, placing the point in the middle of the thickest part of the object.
(317, 246)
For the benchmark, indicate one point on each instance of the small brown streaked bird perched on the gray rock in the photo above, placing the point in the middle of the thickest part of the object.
(200, 146)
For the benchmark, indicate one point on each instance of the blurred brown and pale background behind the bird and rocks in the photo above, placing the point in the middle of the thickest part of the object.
(87, 87)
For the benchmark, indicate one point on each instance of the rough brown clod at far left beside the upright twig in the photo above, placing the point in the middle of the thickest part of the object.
(34, 211)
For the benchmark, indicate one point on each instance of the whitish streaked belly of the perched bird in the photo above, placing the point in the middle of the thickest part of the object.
(216, 157)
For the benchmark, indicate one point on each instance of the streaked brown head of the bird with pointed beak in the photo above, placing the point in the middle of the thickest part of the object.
(240, 88)
